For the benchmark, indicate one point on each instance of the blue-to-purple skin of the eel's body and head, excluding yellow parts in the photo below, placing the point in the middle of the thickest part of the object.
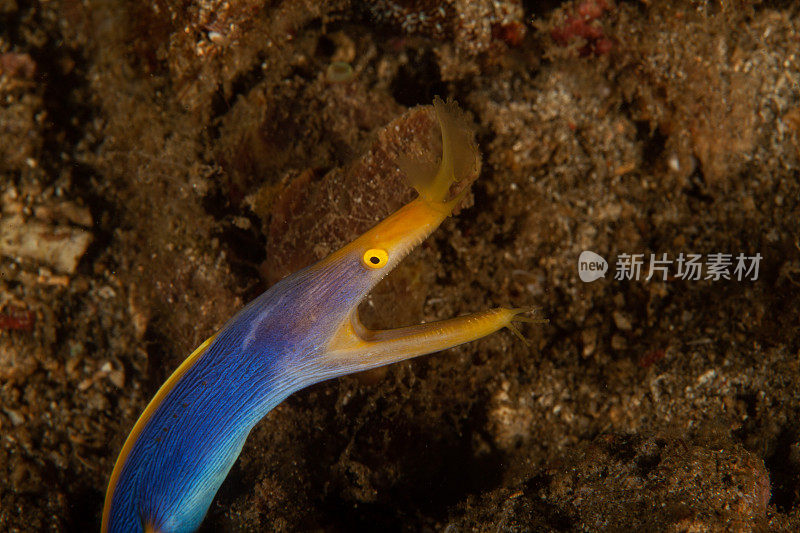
(263, 354)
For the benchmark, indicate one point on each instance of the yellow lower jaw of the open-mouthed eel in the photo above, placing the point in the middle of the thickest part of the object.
(359, 348)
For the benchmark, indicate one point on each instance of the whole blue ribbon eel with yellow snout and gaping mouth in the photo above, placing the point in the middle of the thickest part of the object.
(303, 330)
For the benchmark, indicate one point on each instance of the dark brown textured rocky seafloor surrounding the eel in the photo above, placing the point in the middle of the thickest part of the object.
(200, 150)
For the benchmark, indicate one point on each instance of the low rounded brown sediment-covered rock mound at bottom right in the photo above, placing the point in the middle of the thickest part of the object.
(636, 483)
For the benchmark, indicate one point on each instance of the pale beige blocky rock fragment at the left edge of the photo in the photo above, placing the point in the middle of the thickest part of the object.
(57, 246)
